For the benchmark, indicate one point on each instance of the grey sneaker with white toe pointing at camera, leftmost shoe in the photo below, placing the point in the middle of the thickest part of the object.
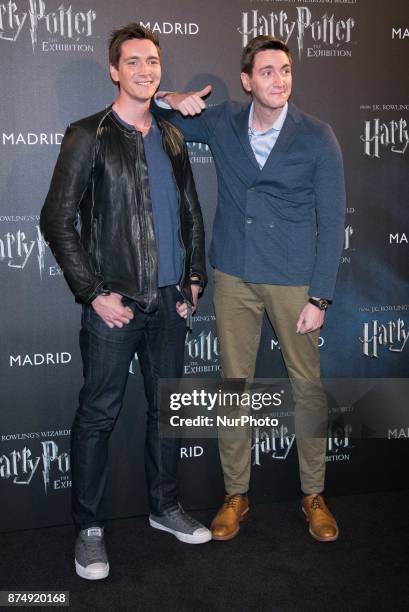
(91, 560)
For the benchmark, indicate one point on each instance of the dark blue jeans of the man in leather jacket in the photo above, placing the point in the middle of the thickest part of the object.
(159, 340)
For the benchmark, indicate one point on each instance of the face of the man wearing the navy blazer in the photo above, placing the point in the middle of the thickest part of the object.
(270, 80)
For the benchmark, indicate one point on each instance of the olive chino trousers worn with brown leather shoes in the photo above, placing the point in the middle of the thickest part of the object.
(239, 308)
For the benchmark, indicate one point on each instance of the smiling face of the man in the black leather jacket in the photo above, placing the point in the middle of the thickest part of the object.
(139, 71)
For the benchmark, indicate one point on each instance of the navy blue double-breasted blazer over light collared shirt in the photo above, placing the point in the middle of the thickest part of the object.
(283, 224)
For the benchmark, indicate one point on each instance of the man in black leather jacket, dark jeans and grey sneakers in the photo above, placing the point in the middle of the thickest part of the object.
(124, 223)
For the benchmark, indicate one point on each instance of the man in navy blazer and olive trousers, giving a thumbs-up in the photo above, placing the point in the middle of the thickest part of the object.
(276, 246)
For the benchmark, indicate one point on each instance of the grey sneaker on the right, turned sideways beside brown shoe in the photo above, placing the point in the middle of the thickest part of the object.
(184, 527)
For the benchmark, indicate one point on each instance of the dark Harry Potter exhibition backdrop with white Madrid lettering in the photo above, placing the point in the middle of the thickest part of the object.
(349, 59)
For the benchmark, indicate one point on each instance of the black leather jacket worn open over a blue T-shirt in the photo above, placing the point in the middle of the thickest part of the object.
(97, 217)
